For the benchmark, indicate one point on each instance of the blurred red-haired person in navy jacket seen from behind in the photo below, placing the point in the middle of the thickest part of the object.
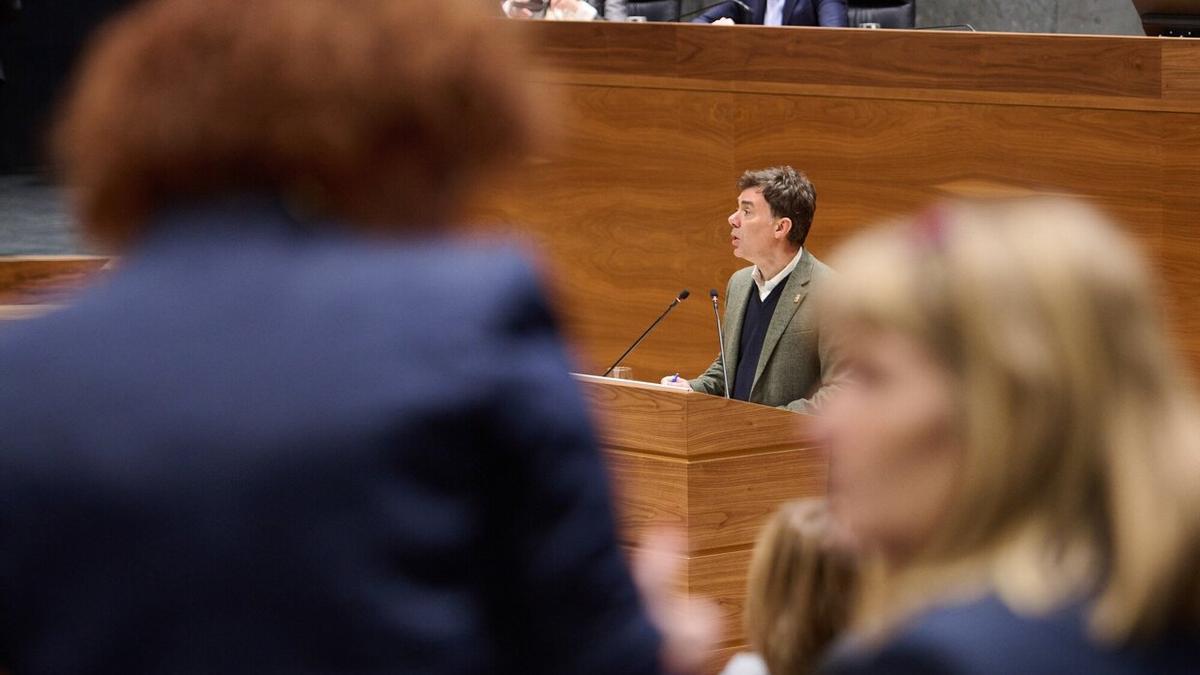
(302, 429)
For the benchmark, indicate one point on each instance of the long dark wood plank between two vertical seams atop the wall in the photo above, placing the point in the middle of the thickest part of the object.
(946, 61)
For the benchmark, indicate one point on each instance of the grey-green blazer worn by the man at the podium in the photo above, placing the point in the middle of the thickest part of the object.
(799, 366)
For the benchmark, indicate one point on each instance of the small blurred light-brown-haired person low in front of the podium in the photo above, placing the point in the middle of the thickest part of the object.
(800, 594)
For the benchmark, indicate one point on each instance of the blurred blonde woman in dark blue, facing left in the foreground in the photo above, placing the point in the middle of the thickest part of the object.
(1018, 452)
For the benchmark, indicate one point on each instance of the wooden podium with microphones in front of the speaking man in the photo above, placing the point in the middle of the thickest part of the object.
(713, 469)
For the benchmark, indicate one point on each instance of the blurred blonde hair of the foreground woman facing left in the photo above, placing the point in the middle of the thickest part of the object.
(1081, 471)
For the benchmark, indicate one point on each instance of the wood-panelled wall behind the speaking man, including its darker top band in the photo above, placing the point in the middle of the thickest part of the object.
(659, 121)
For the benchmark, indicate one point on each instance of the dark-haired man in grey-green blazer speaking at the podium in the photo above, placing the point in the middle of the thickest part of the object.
(777, 355)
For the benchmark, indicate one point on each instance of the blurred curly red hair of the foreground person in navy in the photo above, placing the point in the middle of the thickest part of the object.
(382, 112)
